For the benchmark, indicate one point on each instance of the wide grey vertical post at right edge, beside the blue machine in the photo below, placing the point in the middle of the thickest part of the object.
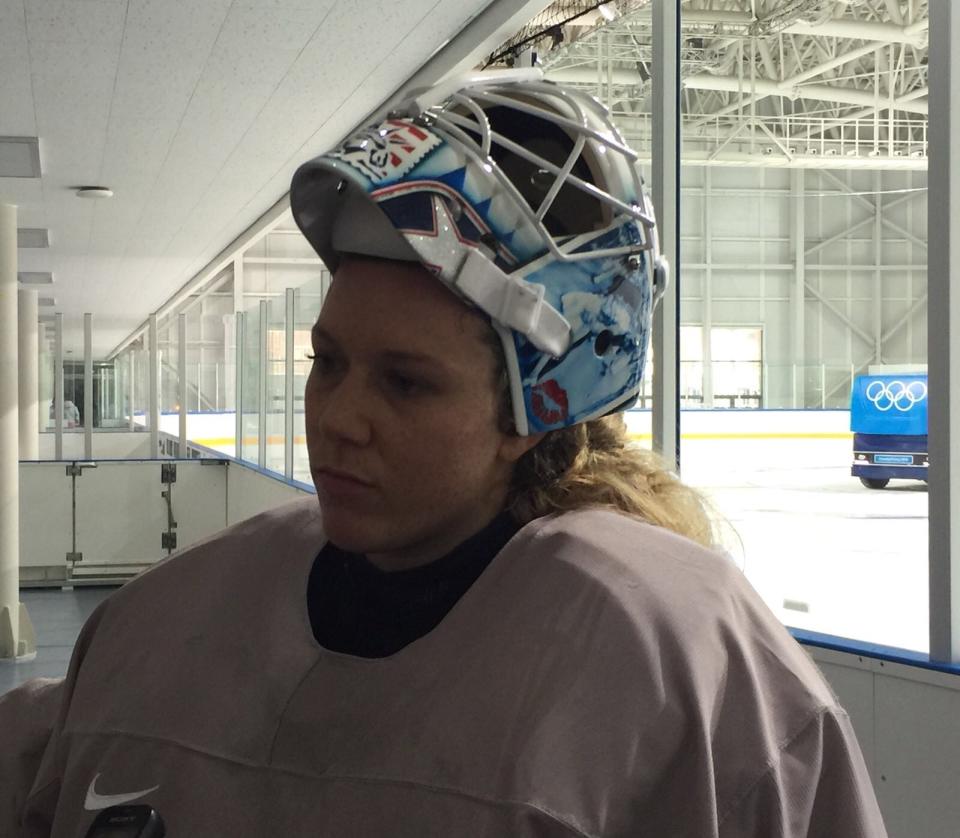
(943, 354)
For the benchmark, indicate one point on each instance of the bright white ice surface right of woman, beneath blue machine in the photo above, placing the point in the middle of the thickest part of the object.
(826, 553)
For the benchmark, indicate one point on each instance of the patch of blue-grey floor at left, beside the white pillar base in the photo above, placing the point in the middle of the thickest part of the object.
(57, 616)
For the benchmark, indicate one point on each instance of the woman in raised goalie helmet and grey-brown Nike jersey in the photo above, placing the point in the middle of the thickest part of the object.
(502, 620)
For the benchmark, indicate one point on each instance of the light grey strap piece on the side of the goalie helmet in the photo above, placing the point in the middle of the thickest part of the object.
(513, 302)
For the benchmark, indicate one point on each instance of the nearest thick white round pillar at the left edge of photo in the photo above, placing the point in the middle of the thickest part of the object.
(16, 633)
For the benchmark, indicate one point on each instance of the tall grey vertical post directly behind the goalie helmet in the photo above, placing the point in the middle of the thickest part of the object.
(666, 193)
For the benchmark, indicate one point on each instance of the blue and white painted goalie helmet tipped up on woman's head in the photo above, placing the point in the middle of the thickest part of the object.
(520, 196)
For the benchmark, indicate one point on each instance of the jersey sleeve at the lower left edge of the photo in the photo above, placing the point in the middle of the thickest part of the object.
(28, 716)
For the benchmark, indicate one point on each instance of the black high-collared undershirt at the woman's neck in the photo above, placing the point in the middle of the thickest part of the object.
(358, 609)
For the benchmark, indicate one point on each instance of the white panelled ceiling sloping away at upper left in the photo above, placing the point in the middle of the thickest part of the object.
(196, 113)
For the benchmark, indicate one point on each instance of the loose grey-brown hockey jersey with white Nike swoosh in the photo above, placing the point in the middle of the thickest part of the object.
(603, 677)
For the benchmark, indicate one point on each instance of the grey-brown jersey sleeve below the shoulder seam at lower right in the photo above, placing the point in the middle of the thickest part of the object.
(817, 787)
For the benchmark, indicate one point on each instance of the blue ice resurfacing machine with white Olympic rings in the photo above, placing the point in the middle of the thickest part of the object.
(888, 417)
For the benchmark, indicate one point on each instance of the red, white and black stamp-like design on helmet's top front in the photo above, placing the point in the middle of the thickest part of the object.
(387, 151)
